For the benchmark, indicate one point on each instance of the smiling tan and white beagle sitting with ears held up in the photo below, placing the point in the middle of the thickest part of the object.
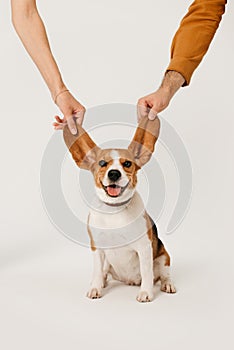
(142, 259)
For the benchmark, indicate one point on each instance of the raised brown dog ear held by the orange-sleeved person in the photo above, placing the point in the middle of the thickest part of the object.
(146, 135)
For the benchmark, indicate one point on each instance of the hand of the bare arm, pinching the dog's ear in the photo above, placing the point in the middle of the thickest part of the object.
(70, 109)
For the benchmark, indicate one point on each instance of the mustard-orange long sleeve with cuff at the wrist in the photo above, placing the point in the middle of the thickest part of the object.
(194, 36)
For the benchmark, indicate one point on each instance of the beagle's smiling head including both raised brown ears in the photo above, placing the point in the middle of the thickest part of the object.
(114, 170)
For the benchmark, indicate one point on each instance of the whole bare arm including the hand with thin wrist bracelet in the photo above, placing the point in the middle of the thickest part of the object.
(31, 30)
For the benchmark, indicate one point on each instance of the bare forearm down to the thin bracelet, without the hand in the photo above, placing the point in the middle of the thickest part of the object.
(31, 30)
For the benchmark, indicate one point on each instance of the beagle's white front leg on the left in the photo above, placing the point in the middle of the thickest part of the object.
(97, 281)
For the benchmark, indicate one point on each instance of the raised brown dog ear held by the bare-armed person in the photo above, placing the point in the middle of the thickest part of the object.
(83, 149)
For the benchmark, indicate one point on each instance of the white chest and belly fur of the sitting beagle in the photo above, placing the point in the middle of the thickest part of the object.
(120, 230)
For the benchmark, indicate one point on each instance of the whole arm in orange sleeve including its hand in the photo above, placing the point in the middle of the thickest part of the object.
(189, 46)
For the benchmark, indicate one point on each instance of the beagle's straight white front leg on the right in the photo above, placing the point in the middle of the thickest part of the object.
(146, 267)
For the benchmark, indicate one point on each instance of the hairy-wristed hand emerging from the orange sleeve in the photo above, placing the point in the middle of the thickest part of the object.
(156, 102)
